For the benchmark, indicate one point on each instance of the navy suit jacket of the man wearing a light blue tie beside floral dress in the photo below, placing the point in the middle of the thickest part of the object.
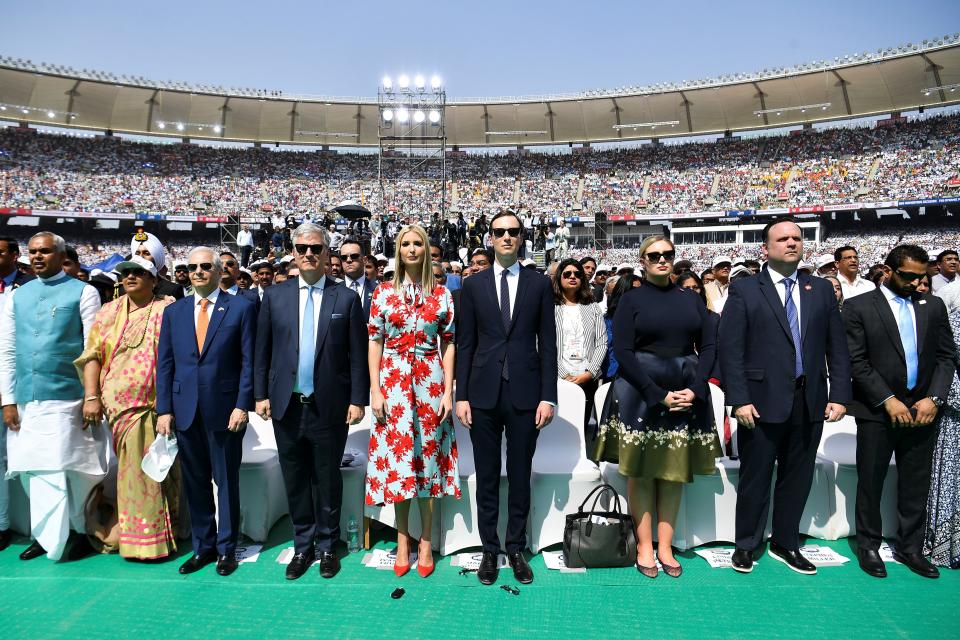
(340, 374)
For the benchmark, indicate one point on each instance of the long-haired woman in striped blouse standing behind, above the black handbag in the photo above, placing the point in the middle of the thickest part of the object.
(581, 332)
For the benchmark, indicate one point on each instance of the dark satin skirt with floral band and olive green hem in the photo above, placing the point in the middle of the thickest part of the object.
(650, 441)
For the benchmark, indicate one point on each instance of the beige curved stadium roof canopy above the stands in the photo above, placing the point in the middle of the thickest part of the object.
(889, 80)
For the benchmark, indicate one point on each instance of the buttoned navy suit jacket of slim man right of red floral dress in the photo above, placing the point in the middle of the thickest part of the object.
(530, 343)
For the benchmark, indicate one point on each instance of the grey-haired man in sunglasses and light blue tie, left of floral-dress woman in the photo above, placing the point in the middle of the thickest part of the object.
(312, 379)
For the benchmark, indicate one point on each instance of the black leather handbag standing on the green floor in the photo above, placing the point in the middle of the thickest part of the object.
(595, 539)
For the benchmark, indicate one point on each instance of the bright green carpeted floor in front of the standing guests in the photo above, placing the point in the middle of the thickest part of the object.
(107, 597)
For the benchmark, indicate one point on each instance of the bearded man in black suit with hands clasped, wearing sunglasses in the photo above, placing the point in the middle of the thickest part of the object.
(901, 351)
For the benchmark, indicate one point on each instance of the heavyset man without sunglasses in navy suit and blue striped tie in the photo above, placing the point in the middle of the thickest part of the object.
(780, 337)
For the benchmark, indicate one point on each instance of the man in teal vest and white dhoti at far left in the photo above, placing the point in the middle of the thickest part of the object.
(57, 458)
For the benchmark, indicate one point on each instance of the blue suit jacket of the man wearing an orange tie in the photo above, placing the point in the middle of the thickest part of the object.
(215, 381)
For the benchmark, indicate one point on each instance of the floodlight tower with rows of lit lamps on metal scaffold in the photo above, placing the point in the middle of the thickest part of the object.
(411, 132)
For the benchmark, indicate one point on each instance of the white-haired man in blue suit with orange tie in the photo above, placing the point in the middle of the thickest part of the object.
(204, 391)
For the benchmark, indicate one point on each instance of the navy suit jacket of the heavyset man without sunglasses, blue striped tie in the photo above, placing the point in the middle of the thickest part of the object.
(757, 352)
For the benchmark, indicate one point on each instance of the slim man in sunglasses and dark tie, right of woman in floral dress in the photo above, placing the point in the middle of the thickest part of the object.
(506, 380)
